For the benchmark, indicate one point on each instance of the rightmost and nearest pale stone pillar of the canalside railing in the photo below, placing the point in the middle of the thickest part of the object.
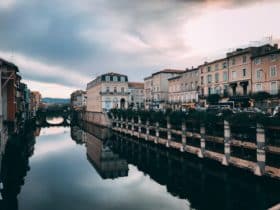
(260, 167)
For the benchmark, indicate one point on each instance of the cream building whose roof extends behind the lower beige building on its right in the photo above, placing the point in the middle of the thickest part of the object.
(156, 88)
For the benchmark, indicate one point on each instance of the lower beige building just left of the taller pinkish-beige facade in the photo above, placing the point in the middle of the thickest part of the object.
(183, 89)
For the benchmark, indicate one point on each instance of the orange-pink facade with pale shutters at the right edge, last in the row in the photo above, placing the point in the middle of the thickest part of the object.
(266, 75)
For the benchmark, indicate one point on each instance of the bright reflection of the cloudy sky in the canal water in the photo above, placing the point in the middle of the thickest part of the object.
(62, 178)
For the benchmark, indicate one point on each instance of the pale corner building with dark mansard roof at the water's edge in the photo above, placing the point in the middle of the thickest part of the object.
(107, 91)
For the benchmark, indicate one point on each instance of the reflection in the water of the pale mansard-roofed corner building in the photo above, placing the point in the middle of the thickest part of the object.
(108, 164)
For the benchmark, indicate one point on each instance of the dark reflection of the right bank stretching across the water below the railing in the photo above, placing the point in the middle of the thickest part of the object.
(204, 183)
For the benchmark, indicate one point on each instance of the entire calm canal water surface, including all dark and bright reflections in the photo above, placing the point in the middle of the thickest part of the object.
(73, 169)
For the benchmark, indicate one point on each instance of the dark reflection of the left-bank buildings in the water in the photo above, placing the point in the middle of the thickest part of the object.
(14, 167)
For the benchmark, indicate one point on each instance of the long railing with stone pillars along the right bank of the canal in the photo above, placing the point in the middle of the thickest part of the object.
(218, 141)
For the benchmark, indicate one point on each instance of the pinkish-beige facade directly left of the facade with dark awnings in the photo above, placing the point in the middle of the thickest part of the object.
(214, 77)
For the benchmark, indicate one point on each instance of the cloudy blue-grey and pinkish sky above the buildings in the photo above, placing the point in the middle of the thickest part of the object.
(60, 46)
